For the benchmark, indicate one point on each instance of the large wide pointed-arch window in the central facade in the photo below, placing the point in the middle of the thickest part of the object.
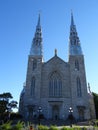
(55, 85)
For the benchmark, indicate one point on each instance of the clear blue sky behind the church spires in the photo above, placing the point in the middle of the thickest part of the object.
(18, 19)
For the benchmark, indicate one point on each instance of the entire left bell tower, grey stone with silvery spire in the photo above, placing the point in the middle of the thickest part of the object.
(31, 92)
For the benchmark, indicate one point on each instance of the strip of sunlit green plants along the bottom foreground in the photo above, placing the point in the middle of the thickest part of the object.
(22, 126)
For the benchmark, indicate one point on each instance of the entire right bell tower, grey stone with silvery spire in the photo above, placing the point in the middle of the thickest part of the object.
(78, 84)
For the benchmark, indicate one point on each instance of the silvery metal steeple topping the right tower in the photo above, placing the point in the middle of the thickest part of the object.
(74, 42)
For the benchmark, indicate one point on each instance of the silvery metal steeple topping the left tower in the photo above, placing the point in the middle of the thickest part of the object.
(36, 48)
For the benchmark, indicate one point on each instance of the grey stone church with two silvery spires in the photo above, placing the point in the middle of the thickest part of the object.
(56, 88)
